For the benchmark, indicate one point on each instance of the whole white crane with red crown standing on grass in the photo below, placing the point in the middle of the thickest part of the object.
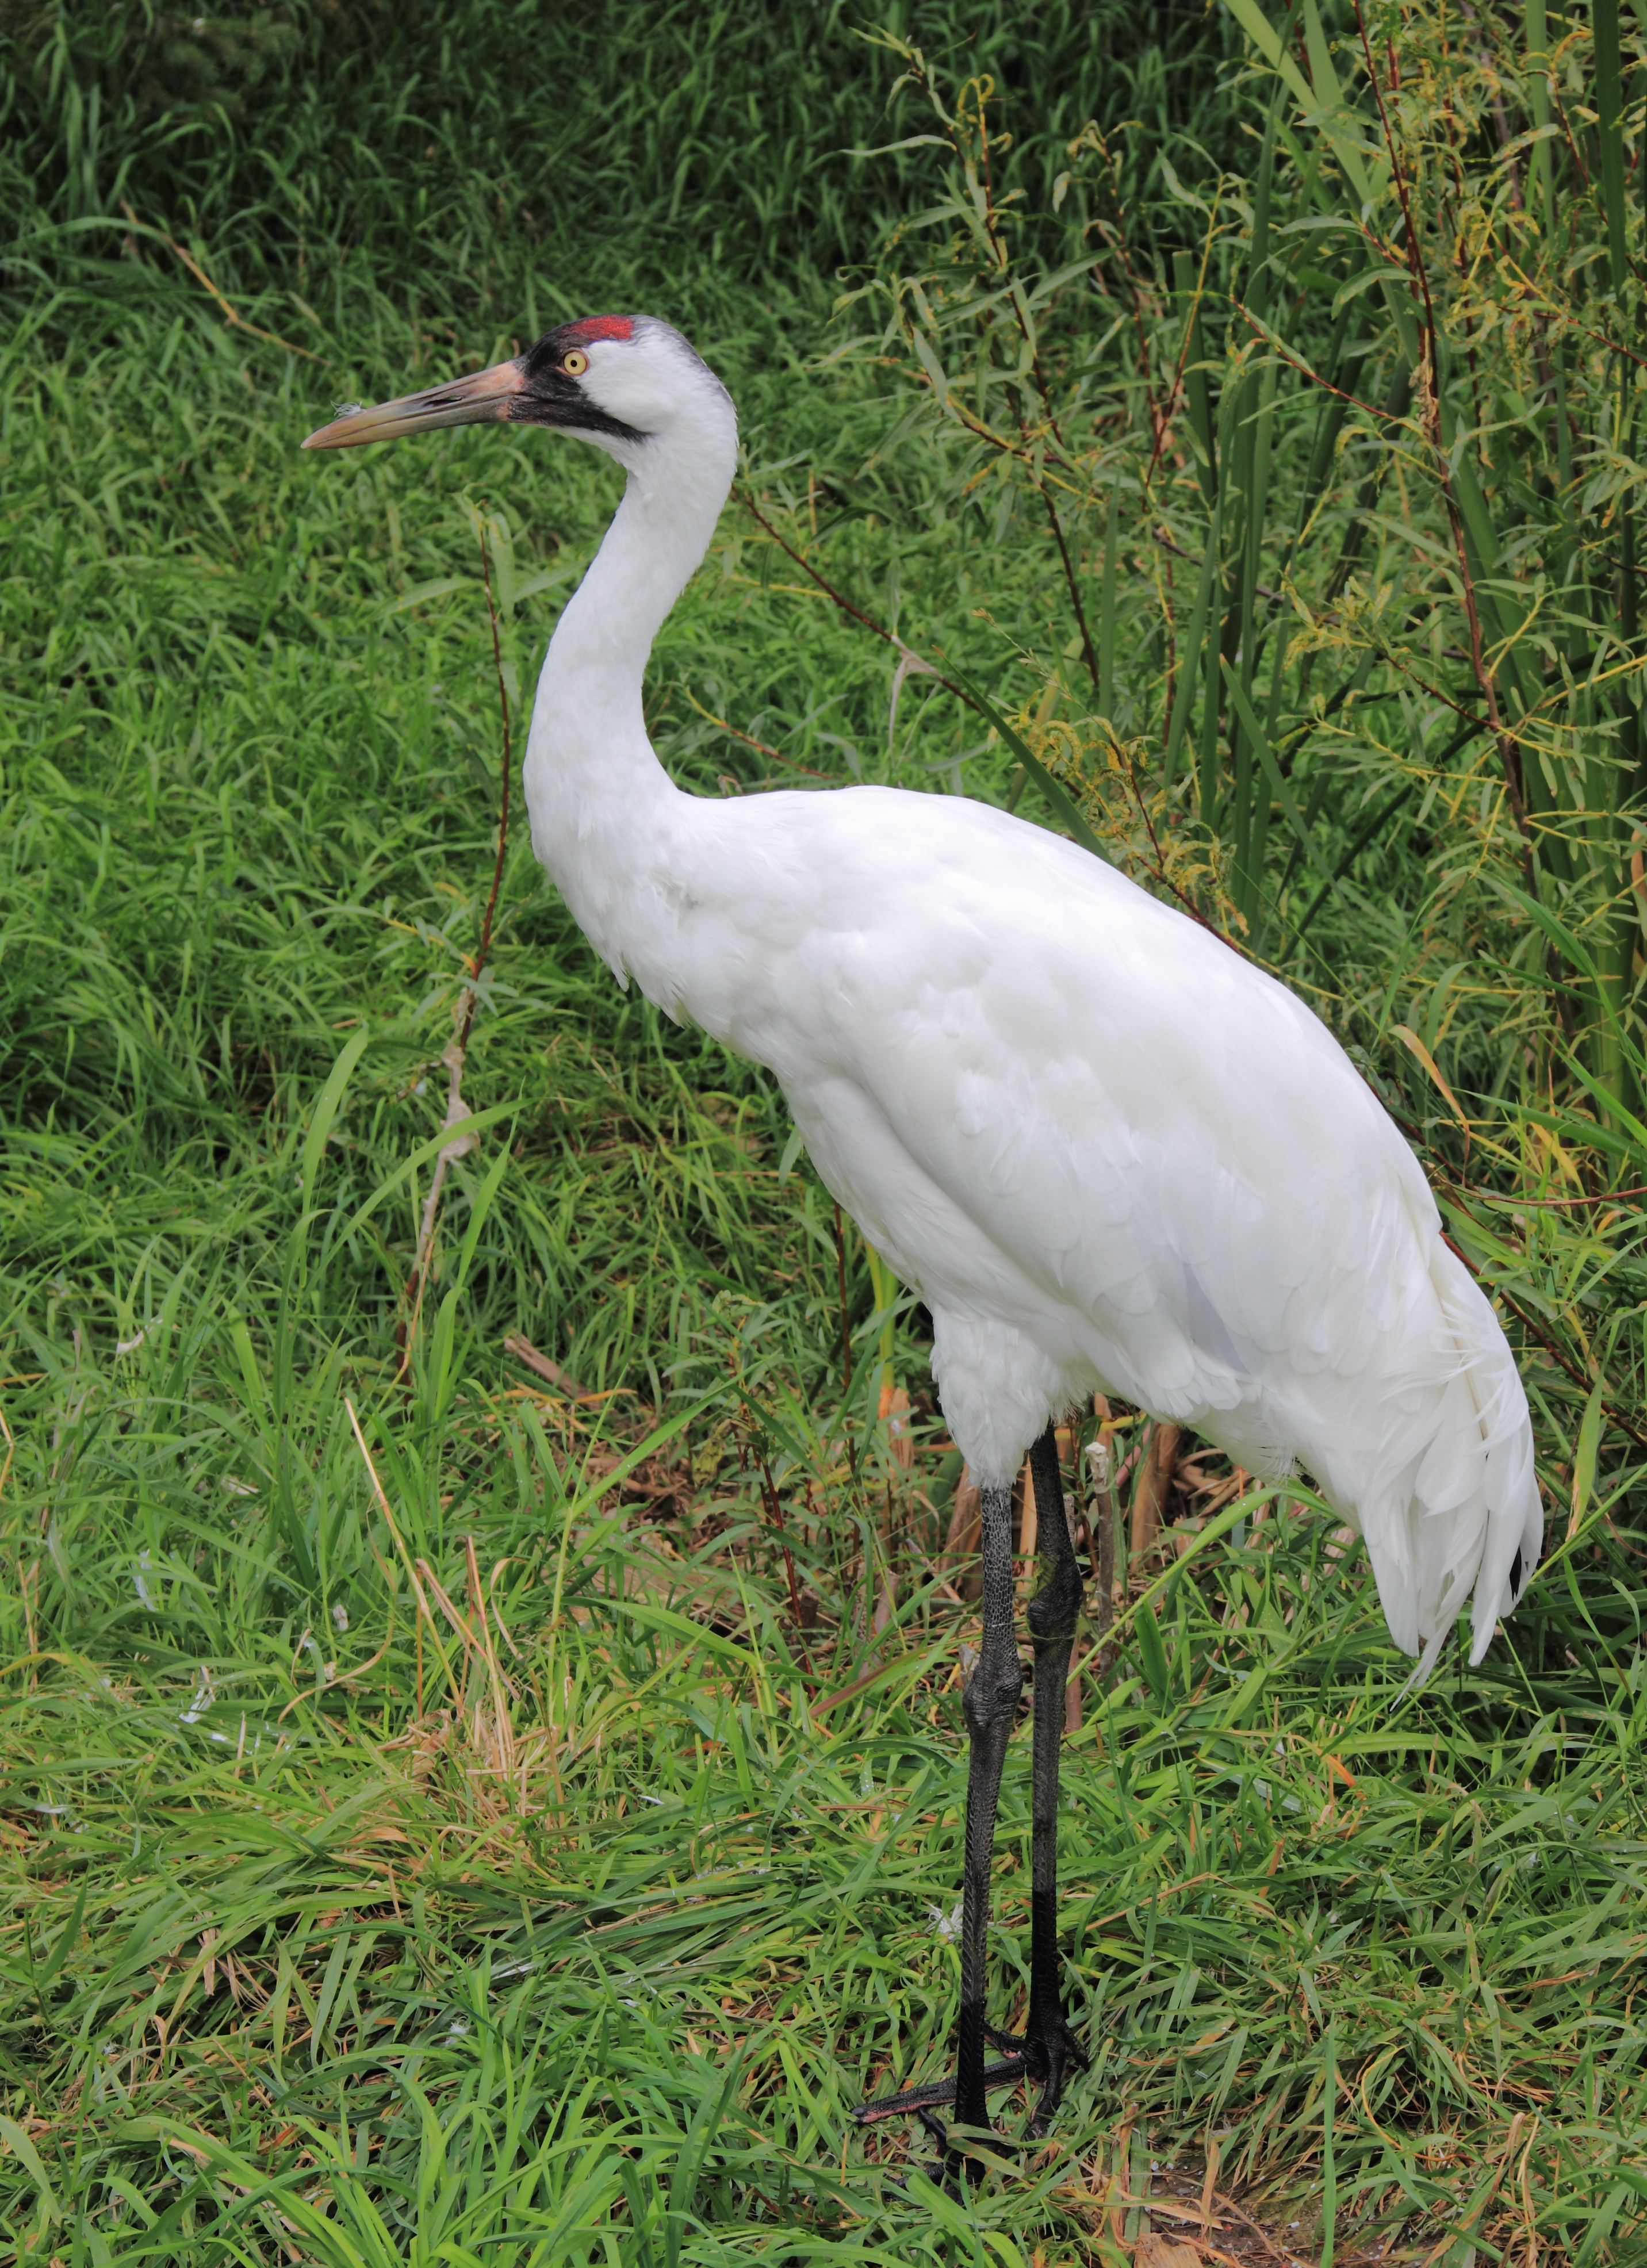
(1106, 1151)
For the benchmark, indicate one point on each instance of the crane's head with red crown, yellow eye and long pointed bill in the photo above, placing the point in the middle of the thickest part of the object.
(618, 382)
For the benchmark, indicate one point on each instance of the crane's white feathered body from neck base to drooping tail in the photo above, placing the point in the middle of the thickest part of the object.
(1108, 1151)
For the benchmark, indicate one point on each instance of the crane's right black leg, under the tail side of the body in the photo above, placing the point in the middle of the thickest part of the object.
(1049, 2042)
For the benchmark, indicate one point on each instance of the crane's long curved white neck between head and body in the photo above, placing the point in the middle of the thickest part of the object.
(602, 809)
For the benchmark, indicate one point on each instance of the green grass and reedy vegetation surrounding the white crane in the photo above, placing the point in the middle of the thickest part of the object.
(453, 1804)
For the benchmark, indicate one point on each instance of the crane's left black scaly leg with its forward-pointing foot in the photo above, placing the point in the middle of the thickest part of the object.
(990, 1707)
